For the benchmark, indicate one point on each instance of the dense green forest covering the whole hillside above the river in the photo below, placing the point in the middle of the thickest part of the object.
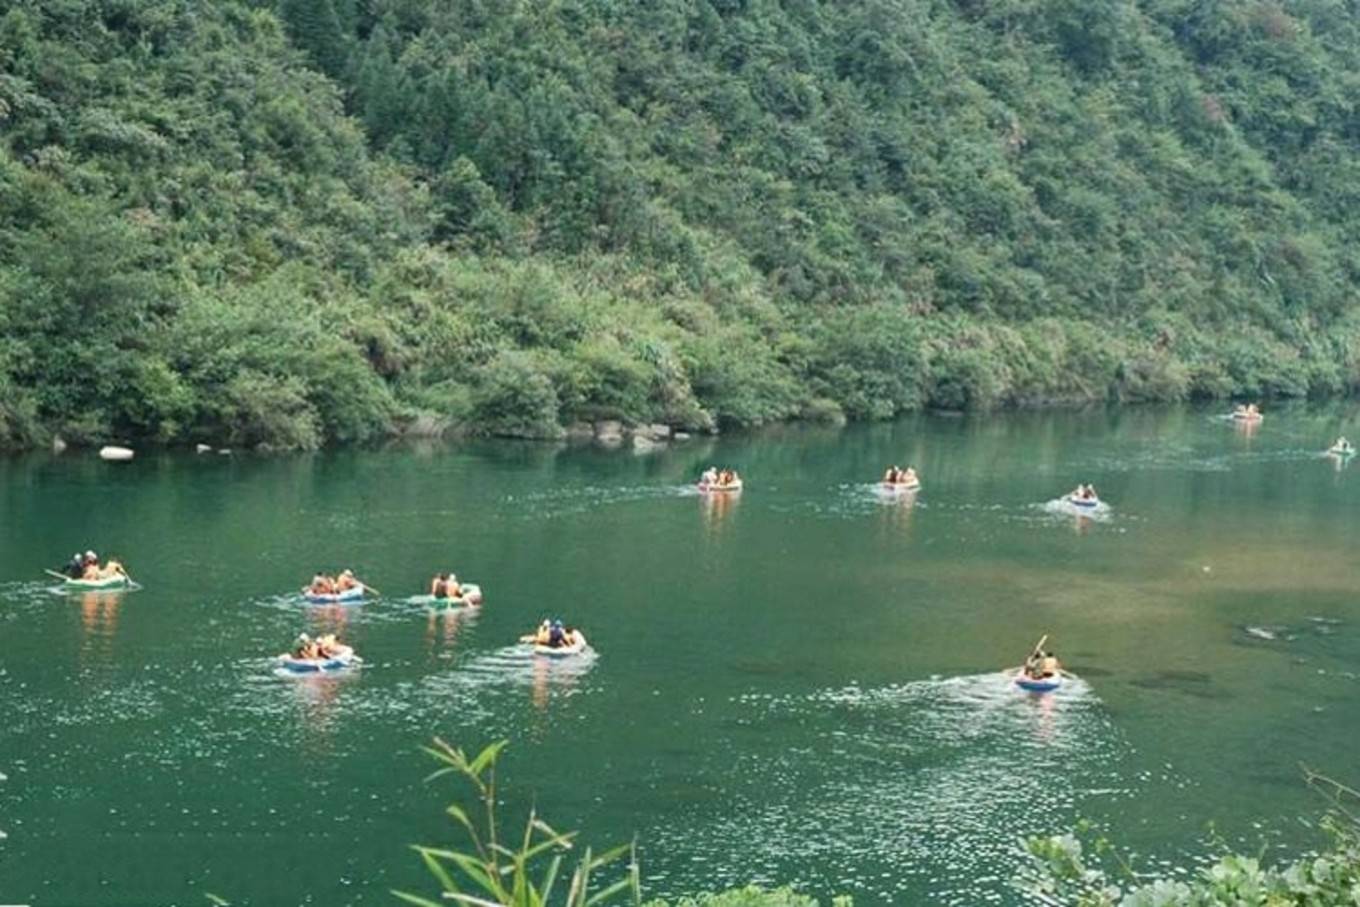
(296, 222)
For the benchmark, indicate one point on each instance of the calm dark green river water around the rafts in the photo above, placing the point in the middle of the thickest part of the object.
(796, 686)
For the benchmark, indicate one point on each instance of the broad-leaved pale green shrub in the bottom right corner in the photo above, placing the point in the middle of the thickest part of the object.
(1067, 872)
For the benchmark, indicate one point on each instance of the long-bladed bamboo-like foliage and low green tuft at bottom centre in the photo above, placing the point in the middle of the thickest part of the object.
(527, 870)
